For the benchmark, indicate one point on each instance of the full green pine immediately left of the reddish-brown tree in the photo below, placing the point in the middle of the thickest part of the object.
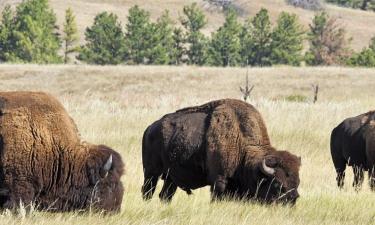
(287, 41)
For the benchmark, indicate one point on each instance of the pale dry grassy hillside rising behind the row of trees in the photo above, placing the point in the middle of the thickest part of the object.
(357, 22)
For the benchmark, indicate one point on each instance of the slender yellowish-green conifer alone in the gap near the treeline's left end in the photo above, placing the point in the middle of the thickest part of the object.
(70, 34)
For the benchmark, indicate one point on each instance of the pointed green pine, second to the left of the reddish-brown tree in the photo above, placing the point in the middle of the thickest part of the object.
(256, 40)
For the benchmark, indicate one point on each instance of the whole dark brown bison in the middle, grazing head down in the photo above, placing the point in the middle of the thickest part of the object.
(223, 144)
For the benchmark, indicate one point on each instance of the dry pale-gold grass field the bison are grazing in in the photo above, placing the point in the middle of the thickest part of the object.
(113, 106)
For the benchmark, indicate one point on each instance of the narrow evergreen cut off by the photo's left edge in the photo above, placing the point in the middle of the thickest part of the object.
(6, 28)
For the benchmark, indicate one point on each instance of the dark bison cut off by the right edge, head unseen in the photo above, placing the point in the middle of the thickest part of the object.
(353, 144)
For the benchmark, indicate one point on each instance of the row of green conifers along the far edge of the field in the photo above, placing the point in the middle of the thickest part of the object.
(29, 34)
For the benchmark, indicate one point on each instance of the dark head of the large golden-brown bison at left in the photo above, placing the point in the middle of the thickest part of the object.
(104, 169)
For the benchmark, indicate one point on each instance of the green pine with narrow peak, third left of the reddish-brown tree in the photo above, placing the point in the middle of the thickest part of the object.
(225, 44)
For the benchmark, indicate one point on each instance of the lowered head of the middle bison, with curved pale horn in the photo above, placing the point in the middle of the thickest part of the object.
(279, 180)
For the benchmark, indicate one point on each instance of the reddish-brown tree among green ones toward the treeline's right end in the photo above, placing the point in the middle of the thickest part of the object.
(328, 42)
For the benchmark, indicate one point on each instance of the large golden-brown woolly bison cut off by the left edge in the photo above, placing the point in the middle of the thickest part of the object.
(43, 161)
